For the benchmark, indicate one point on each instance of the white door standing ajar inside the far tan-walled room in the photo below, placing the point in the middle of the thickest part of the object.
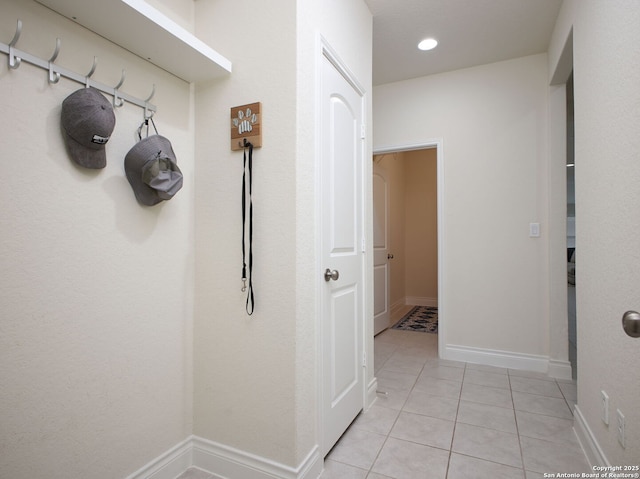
(381, 273)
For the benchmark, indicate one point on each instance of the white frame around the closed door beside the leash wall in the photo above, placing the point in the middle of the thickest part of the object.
(324, 50)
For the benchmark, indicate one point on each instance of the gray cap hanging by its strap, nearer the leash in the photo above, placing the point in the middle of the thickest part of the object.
(152, 170)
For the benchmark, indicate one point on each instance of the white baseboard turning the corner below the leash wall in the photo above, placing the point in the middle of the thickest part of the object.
(226, 462)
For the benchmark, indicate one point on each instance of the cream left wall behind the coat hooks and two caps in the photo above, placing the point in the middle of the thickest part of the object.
(96, 291)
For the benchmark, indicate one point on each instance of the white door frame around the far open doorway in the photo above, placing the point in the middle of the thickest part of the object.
(436, 143)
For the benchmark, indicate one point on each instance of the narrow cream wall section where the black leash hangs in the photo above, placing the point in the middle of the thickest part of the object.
(244, 366)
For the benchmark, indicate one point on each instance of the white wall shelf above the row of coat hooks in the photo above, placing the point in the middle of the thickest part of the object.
(144, 31)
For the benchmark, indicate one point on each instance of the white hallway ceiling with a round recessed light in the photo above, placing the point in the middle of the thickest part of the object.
(469, 32)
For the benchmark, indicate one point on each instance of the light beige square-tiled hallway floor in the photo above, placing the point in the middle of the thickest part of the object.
(443, 419)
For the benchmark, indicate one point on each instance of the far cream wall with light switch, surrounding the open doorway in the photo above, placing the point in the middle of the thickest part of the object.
(492, 121)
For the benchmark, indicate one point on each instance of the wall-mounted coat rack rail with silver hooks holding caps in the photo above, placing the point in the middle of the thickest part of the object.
(16, 57)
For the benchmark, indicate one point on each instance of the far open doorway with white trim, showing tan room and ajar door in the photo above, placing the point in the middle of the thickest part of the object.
(408, 233)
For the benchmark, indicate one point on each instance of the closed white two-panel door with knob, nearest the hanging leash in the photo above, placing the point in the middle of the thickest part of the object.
(341, 233)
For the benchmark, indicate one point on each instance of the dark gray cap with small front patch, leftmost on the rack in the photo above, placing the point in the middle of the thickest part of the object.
(87, 122)
